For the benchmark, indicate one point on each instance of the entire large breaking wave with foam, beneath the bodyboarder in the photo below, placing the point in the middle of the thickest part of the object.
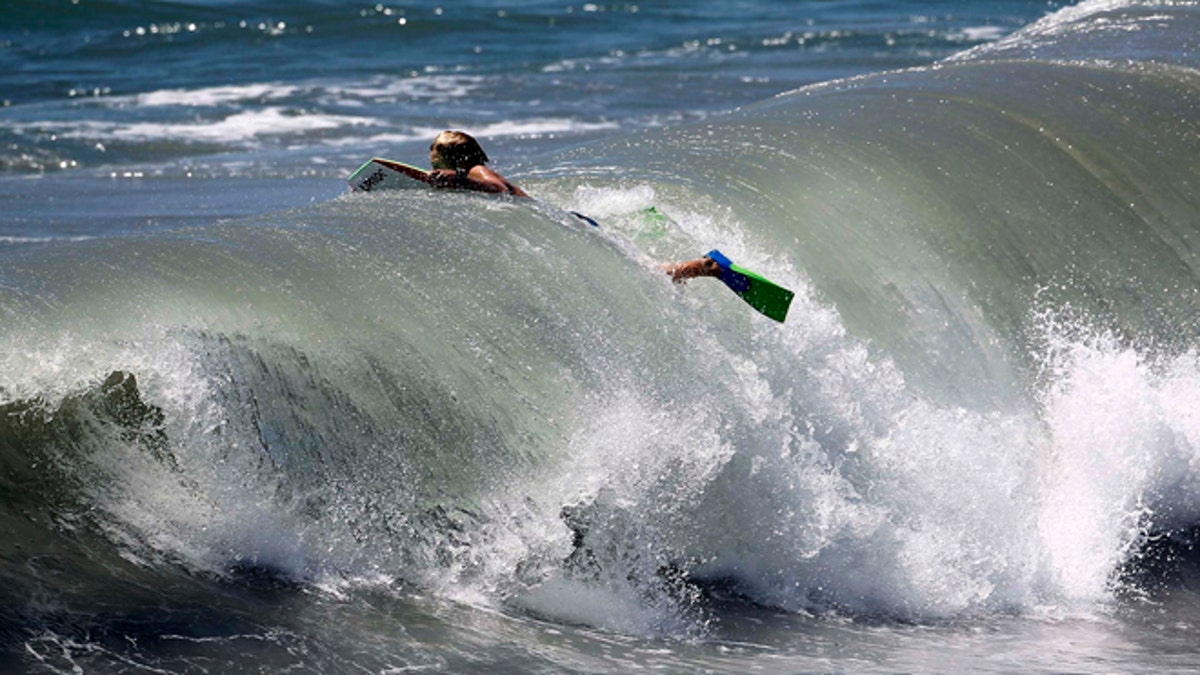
(980, 403)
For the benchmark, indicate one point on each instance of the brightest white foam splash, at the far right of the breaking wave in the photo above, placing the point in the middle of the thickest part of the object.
(1126, 457)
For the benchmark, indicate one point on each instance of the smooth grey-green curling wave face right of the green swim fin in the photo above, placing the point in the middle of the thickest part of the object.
(933, 205)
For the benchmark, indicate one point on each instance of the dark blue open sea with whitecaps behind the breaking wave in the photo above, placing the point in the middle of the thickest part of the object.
(298, 91)
